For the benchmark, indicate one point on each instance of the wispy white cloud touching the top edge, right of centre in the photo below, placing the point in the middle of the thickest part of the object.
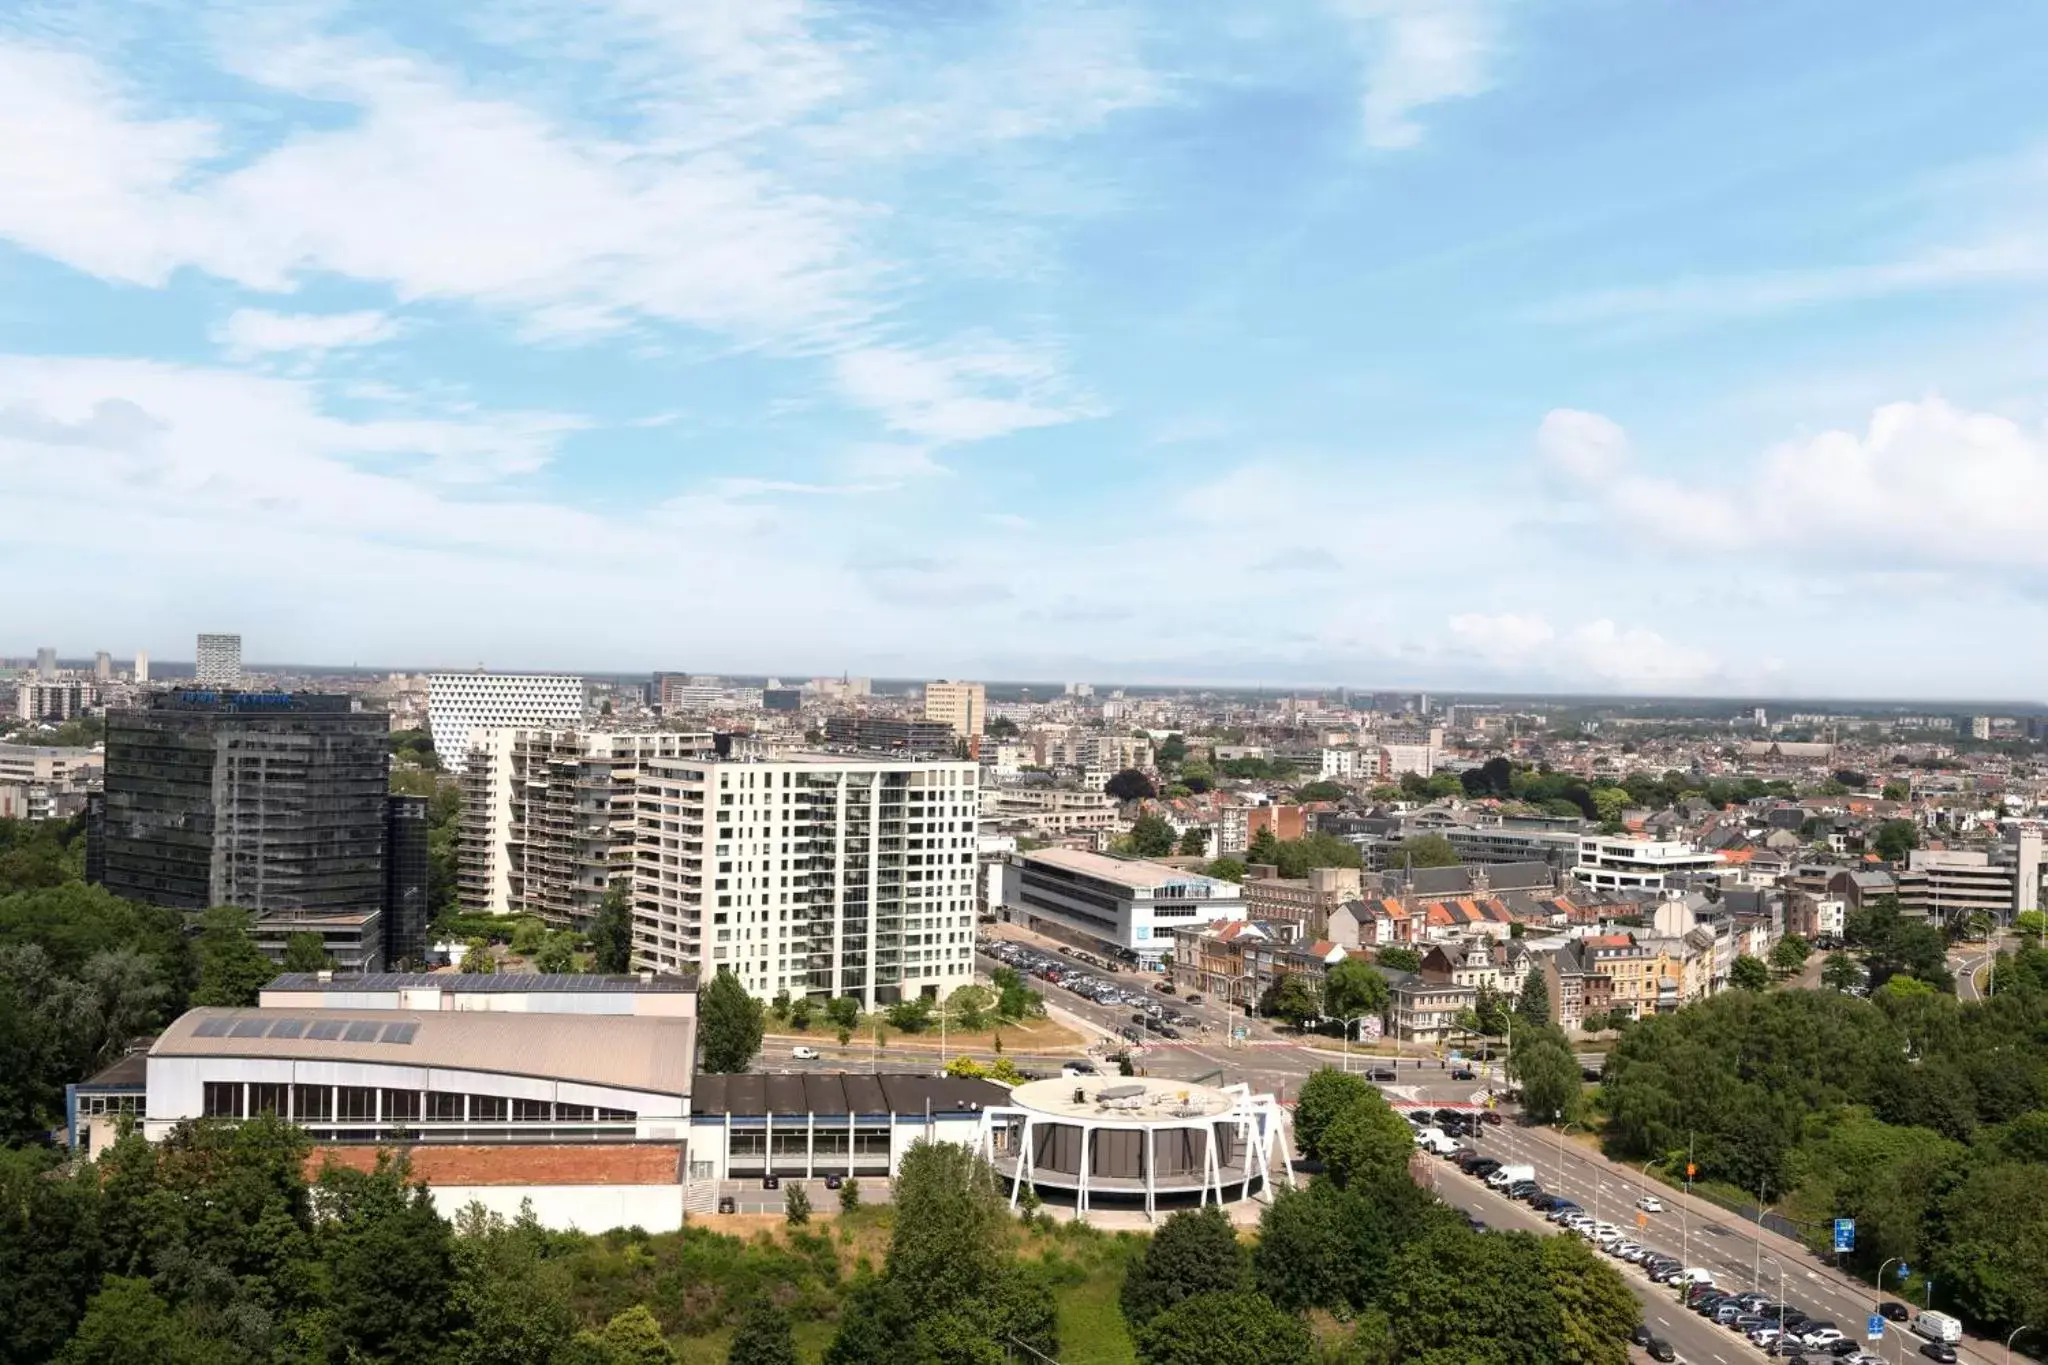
(1418, 54)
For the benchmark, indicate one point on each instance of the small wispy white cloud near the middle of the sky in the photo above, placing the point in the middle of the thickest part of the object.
(972, 390)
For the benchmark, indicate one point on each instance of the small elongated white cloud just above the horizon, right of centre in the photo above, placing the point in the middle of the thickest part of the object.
(1596, 652)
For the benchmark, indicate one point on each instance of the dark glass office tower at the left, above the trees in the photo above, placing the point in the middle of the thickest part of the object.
(259, 799)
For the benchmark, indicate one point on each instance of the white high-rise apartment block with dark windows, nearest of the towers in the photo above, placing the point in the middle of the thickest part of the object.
(816, 875)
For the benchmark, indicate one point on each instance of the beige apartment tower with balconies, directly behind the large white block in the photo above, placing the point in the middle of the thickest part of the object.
(550, 818)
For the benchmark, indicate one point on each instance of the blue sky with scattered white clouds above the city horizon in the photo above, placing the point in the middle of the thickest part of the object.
(1580, 345)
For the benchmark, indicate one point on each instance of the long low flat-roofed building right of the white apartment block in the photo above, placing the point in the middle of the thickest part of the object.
(1121, 906)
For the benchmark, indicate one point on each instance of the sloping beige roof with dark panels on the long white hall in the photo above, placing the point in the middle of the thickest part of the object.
(632, 1053)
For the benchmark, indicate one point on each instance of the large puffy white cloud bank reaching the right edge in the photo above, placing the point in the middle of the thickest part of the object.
(1924, 486)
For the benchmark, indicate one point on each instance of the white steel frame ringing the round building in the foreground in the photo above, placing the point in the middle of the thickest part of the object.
(1258, 1125)
